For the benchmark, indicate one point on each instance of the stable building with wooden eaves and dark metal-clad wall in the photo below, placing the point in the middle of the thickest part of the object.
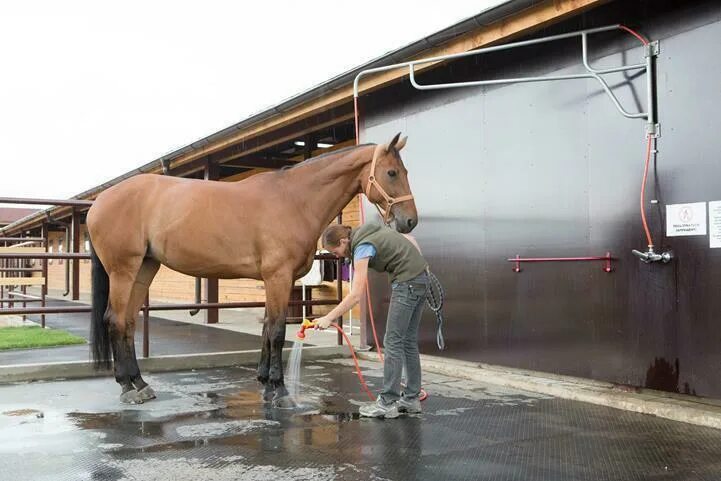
(529, 192)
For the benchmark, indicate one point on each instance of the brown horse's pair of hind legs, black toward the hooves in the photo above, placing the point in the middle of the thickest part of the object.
(128, 286)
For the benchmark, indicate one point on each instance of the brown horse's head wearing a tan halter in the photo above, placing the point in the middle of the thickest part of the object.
(387, 186)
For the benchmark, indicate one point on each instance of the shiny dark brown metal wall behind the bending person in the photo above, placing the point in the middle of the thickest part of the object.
(552, 169)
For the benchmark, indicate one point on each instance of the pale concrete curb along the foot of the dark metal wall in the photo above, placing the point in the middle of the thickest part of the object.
(676, 407)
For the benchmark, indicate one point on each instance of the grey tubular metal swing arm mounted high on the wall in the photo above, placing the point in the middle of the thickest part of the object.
(651, 50)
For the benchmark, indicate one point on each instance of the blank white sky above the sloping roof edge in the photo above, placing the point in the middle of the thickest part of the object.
(90, 90)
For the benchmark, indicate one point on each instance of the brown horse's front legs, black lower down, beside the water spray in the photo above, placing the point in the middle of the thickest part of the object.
(270, 368)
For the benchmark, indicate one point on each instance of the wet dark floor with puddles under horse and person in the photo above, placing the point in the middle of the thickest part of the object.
(212, 425)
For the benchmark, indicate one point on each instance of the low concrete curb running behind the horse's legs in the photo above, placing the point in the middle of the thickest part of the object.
(84, 369)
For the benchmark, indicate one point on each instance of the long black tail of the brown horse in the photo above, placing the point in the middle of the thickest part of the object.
(99, 328)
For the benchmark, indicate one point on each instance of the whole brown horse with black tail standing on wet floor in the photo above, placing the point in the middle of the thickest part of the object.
(265, 227)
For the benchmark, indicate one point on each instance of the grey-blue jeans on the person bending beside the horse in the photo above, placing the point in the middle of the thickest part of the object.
(401, 339)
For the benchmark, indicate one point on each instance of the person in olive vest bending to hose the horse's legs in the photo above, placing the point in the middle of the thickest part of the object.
(385, 250)
